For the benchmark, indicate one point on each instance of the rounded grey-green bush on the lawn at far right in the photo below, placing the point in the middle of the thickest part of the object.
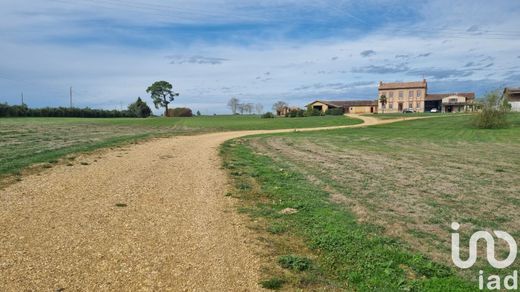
(494, 112)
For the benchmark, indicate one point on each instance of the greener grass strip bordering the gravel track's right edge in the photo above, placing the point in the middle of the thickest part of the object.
(345, 254)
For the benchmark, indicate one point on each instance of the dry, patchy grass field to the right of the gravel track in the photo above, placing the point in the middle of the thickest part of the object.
(374, 205)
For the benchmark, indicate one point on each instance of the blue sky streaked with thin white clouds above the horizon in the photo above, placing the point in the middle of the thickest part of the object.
(296, 51)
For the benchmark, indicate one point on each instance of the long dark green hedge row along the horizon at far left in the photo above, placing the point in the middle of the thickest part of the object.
(58, 112)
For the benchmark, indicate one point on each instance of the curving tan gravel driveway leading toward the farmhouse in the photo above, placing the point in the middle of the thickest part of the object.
(176, 229)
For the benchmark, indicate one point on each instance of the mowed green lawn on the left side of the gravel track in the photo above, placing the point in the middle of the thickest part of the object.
(25, 141)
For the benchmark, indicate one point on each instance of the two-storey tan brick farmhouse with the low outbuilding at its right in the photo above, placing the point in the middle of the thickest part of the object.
(414, 95)
